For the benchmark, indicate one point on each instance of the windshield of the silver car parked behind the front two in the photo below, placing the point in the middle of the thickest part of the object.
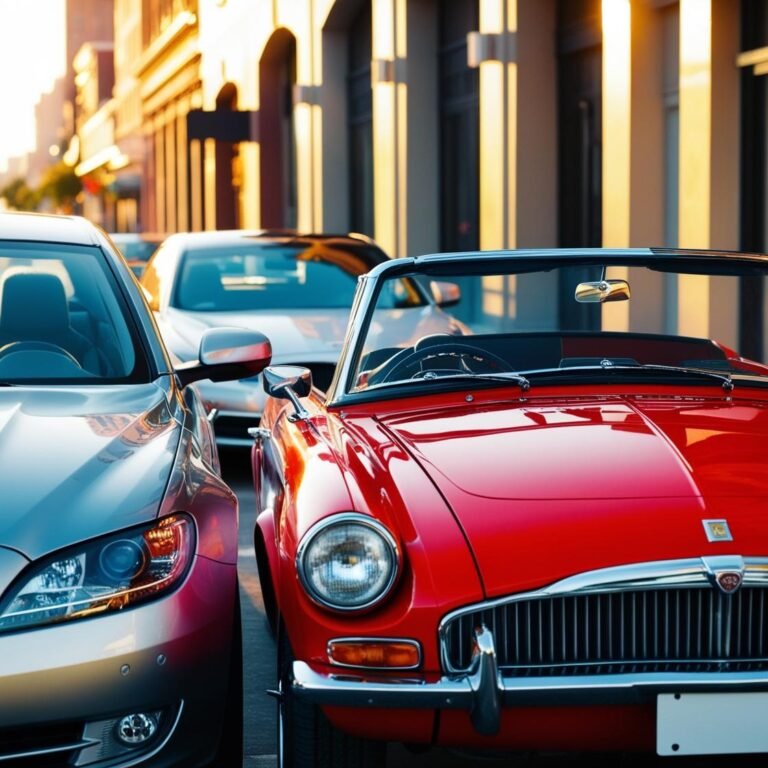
(269, 276)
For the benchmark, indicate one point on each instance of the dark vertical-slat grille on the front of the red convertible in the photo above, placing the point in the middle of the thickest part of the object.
(691, 628)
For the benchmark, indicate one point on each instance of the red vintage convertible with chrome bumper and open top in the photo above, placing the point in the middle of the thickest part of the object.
(541, 529)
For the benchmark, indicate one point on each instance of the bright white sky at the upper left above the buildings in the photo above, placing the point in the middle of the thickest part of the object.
(31, 58)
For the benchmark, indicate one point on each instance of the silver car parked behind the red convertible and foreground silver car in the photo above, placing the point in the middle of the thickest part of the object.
(297, 289)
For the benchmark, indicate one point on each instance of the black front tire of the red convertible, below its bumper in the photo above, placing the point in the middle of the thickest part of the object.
(305, 737)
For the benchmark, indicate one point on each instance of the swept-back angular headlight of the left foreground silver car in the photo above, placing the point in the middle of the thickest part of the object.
(106, 574)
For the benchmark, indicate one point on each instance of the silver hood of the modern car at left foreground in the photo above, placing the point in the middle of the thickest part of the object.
(76, 463)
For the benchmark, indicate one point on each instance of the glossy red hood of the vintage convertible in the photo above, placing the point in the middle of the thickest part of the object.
(546, 489)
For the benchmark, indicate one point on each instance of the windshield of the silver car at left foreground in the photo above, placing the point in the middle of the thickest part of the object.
(62, 318)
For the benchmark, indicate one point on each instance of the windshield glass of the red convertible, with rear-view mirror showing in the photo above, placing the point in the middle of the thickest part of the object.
(547, 321)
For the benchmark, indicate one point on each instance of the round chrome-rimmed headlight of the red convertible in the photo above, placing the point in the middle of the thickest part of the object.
(348, 562)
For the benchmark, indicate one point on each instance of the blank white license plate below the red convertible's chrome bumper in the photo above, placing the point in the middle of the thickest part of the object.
(711, 723)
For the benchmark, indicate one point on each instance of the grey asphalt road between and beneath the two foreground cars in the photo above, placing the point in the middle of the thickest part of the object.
(259, 660)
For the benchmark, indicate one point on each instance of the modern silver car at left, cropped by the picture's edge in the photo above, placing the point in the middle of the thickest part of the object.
(120, 638)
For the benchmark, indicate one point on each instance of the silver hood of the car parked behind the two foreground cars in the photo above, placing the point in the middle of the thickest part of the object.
(309, 333)
